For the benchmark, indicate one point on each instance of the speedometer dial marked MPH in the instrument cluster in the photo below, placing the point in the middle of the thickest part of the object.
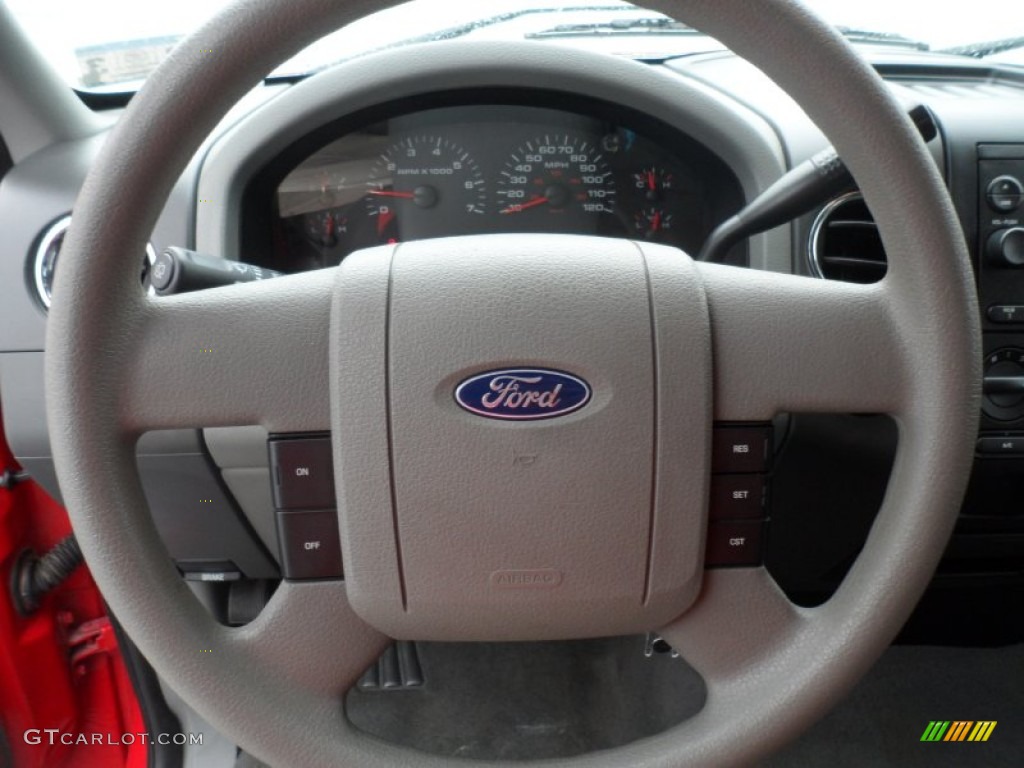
(554, 176)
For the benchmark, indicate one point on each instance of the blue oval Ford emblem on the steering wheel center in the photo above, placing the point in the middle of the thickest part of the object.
(523, 394)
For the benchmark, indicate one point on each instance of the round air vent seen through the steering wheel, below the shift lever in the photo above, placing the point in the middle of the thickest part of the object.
(845, 243)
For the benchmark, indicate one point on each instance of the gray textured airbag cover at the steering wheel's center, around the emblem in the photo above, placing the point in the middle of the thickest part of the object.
(458, 528)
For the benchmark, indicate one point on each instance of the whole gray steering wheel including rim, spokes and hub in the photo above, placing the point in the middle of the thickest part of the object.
(120, 363)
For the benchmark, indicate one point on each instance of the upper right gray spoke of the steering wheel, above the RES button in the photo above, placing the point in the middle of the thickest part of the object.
(787, 344)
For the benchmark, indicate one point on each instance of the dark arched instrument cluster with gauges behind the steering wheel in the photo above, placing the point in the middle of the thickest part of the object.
(404, 173)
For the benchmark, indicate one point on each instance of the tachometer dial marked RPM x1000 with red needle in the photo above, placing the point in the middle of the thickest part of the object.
(420, 185)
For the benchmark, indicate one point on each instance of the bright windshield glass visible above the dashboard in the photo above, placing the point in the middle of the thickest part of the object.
(113, 46)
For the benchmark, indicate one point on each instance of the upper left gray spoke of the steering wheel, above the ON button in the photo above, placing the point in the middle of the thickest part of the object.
(251, 354)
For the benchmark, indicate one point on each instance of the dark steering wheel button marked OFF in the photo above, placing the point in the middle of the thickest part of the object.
(311, 547)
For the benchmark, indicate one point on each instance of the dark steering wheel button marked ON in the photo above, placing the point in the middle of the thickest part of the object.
(303, 470)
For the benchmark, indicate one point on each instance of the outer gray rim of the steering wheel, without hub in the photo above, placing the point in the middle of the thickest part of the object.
(288, 719)
